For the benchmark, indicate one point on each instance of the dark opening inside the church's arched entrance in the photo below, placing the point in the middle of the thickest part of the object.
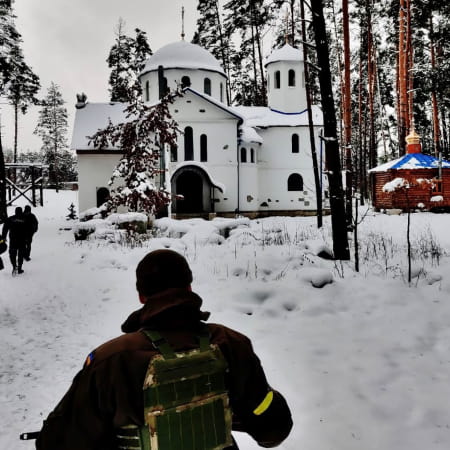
(190, 185)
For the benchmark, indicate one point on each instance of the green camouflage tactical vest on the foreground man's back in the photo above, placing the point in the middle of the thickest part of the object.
(186, 405)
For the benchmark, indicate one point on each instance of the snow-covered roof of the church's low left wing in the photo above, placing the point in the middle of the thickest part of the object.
(93, 117)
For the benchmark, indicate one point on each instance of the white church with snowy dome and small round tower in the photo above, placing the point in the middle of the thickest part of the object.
(255, 161)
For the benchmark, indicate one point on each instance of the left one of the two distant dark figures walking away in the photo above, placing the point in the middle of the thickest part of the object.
(16, 227)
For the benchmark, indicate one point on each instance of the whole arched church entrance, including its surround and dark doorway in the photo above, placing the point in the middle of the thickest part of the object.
(194, 185)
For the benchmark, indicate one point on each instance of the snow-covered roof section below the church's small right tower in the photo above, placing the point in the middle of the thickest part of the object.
(261, 116)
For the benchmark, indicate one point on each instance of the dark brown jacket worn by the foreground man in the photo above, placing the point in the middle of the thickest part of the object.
(107, 392)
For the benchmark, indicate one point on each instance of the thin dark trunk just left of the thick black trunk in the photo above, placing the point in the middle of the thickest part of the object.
(310, 121)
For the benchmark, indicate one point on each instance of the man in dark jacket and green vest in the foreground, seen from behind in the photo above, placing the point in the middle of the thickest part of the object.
(124, 397)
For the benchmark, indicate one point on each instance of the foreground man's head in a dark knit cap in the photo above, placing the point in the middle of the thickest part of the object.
(160, 270)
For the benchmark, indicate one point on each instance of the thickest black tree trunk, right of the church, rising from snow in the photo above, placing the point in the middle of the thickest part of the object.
(339, 229)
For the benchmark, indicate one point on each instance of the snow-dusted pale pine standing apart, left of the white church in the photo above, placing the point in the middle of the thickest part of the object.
(52, 128)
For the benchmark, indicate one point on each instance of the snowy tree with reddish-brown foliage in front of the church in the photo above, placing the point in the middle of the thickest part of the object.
(143, 140)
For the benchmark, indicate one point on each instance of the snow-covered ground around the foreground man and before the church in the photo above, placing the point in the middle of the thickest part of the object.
(364, 361)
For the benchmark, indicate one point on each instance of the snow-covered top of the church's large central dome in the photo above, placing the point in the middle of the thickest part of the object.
(183, 55)
